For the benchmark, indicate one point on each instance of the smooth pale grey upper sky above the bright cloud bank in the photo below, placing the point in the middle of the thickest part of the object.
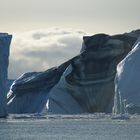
(111, 16)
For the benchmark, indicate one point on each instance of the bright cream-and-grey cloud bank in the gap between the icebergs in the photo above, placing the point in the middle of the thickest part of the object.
(39, 50)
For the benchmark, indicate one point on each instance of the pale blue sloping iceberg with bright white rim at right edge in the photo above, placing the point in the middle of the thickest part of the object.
(127, 97)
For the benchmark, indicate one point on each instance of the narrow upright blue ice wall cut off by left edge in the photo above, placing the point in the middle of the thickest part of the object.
(5, 41)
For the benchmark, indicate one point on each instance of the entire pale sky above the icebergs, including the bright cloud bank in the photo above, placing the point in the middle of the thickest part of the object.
(46, 33)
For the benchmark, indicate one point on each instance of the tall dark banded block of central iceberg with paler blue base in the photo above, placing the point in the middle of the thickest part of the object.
(87, 85)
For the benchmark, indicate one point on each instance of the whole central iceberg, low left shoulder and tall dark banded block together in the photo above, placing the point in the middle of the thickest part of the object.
(83, 84)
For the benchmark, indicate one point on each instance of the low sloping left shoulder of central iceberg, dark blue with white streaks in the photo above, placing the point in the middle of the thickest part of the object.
(30, 92)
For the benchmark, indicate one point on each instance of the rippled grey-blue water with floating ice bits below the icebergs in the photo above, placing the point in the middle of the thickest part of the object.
(70, 127)
